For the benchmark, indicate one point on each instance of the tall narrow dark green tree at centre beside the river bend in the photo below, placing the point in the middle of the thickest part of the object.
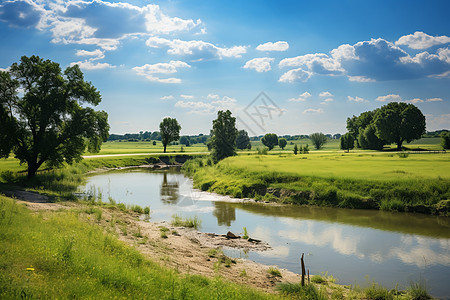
(223, 136)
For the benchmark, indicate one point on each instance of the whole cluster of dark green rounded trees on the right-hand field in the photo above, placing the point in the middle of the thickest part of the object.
(395, 122)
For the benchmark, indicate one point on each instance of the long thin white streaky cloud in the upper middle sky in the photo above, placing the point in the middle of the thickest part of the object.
(196, 49)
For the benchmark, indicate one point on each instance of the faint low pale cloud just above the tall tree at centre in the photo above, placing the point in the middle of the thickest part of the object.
(203, 107)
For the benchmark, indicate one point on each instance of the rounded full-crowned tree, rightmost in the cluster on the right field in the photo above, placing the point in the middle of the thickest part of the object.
(397, 122)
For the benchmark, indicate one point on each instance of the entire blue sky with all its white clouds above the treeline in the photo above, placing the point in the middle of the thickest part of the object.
(317, 62)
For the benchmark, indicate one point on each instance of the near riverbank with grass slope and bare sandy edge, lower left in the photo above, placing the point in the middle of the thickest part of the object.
(81, 250)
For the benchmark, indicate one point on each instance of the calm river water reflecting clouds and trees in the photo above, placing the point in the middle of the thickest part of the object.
(351, 245)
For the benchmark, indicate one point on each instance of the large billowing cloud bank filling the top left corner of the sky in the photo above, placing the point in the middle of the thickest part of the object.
(98, 22)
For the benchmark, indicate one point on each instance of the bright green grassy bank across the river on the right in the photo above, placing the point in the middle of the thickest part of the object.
(419, 183)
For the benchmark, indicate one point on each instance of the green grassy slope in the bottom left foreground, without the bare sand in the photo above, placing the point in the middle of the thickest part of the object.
(58, 255)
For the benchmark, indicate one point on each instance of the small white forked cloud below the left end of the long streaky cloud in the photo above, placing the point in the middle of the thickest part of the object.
(148, 71)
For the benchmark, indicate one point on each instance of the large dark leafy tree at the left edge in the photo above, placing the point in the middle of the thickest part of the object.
(46, 122)
